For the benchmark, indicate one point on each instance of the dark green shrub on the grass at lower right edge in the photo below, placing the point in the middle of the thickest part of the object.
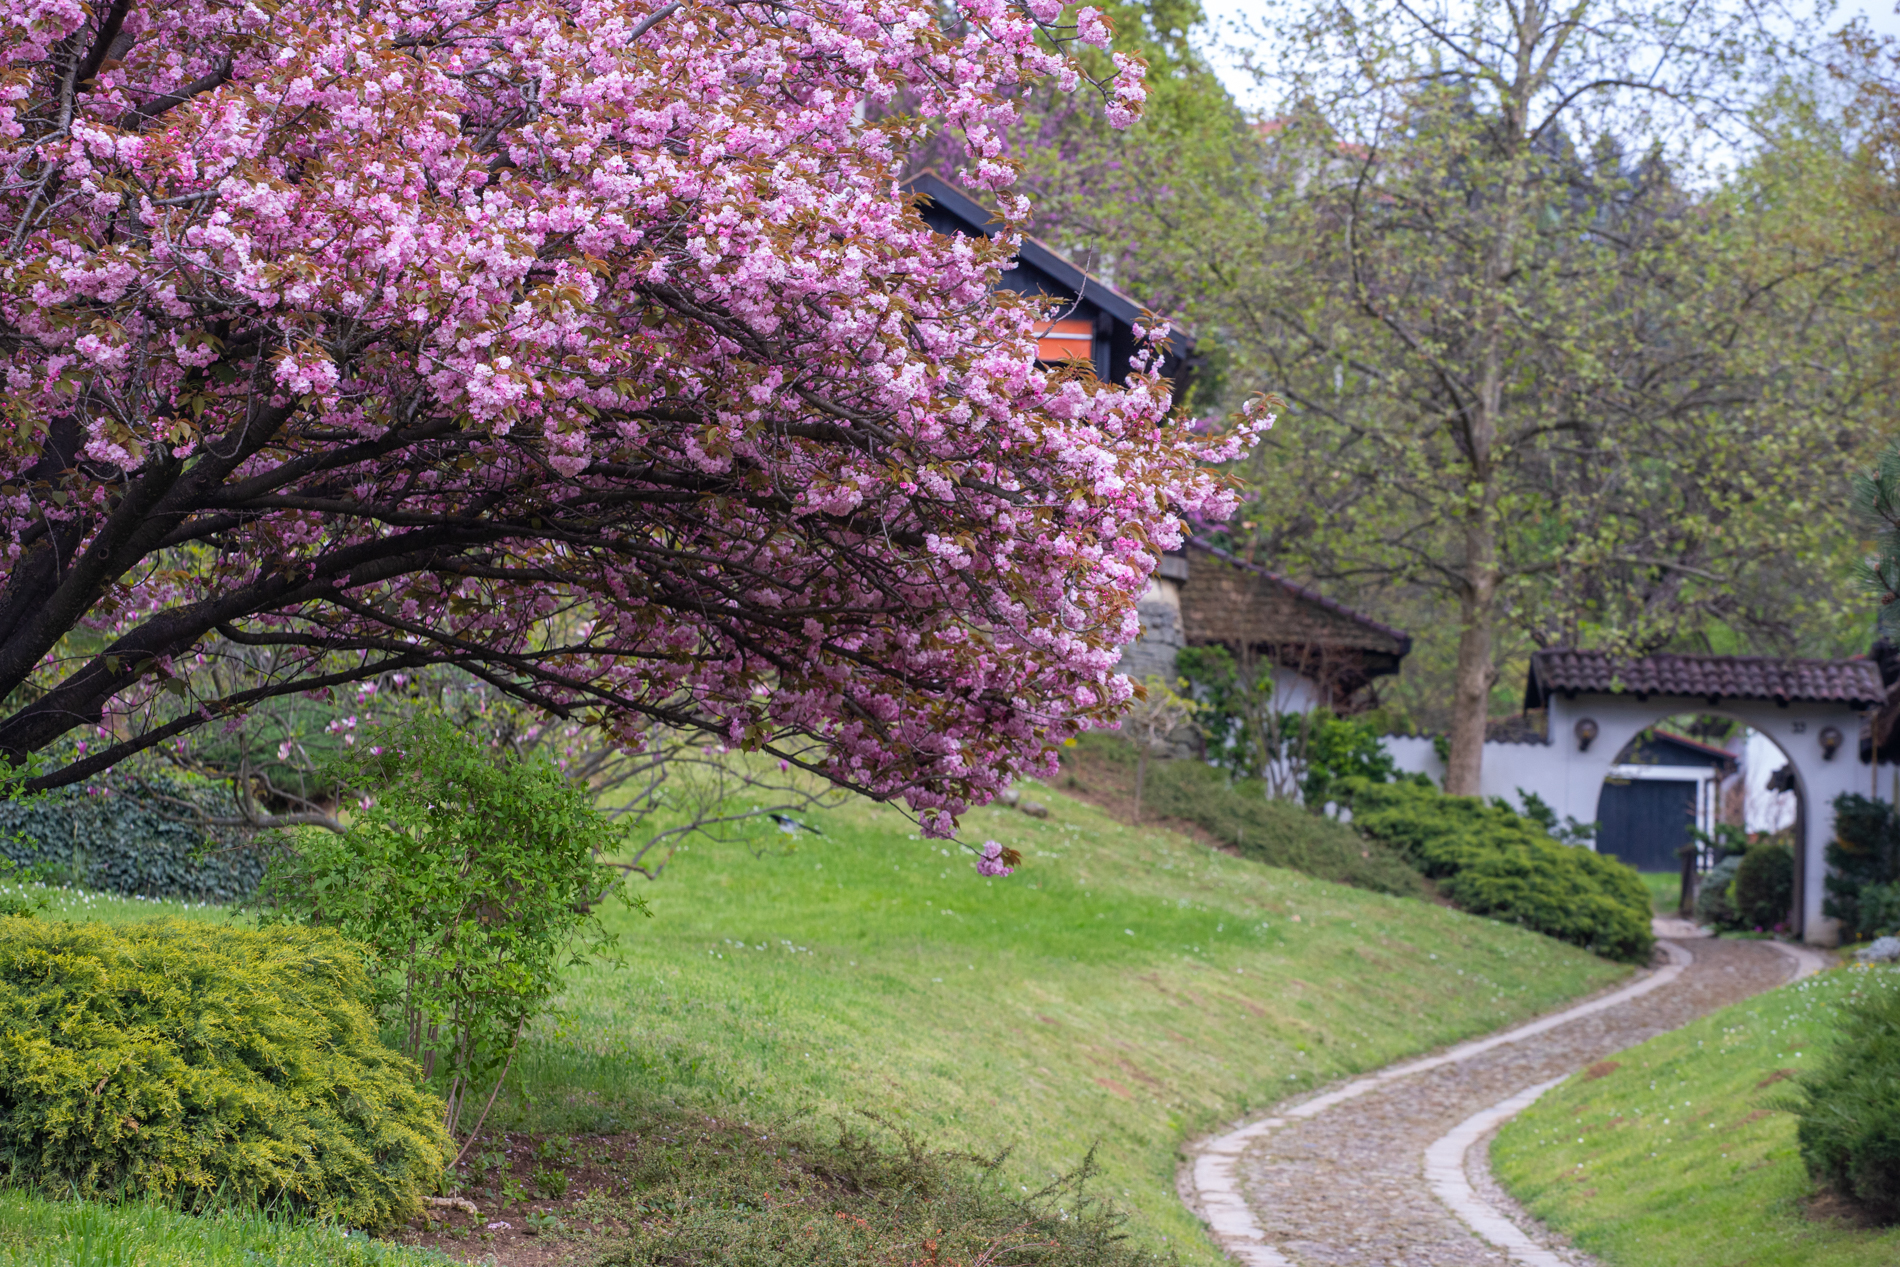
(1850, 1108)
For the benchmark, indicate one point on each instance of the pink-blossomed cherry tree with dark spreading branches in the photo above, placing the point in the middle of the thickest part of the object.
(584, 345)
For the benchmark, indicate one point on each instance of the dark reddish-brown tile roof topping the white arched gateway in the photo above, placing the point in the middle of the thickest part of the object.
(1705, 677)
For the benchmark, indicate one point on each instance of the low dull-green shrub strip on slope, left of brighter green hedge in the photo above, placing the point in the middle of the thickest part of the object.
(1240, 814)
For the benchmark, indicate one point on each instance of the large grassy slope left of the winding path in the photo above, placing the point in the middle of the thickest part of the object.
(1126, 989)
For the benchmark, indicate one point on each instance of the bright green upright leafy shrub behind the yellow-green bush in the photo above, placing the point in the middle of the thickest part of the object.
(472, 879)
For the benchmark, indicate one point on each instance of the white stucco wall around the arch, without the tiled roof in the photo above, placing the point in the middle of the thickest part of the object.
(1570, 780)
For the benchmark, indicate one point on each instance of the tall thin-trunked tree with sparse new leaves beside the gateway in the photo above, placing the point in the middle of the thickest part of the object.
(1548, 381)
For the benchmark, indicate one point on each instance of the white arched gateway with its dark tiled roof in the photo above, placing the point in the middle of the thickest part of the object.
(1593, 706)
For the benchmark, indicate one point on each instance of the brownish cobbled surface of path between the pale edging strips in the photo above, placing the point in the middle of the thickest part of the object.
(1348, 1188)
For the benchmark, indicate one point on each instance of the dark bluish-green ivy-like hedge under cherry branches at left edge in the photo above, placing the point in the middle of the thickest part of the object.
(121, 835)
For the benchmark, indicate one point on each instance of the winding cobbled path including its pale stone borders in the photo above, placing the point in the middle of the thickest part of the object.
(1386, 1173)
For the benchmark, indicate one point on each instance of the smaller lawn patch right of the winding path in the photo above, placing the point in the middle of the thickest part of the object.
(1681, 1156)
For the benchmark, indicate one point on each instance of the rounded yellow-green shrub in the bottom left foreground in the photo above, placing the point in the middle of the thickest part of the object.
(189, 1061)
